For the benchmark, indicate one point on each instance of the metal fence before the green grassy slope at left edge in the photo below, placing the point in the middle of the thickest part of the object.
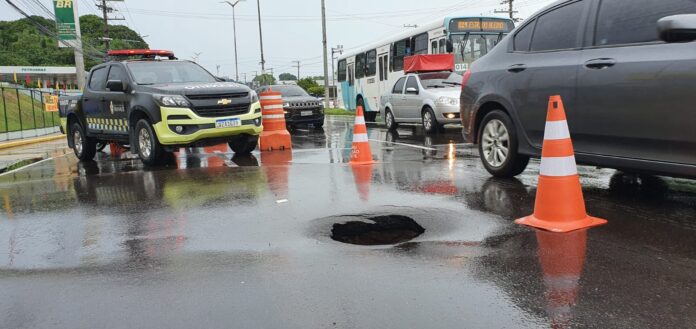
(23, 109)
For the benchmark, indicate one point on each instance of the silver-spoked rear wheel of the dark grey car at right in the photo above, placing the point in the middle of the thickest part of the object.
(498, 146)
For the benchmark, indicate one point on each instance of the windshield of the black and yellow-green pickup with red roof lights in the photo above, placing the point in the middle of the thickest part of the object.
(167, 72)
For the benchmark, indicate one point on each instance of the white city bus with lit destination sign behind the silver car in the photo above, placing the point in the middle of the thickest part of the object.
(364, 74)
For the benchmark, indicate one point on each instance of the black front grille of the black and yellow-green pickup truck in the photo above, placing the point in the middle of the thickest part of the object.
(220, 105)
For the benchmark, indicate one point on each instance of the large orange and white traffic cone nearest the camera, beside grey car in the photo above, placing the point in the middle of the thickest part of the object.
(560, 205)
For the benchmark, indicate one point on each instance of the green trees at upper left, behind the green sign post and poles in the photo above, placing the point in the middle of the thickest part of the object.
(22, 44)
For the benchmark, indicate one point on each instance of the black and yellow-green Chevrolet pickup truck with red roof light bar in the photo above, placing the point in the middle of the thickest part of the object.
(156, 104)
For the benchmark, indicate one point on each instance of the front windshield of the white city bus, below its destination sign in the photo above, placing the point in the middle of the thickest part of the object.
(470, 47)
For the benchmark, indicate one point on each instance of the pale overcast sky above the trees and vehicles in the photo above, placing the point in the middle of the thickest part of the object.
(292, 29)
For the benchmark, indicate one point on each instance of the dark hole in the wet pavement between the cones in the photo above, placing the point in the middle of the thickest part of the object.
(384, 230)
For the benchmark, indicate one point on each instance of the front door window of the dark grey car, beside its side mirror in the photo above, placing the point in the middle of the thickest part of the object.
(635, 21)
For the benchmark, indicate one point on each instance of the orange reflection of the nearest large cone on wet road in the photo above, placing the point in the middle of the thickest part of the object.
(562, 258)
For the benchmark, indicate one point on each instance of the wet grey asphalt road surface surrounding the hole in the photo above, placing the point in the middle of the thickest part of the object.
(215, 241)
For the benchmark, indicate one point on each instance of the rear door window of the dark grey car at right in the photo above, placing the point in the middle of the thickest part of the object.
(558, 29)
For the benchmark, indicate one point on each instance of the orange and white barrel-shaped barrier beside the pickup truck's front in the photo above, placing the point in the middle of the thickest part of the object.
(275, 135)
